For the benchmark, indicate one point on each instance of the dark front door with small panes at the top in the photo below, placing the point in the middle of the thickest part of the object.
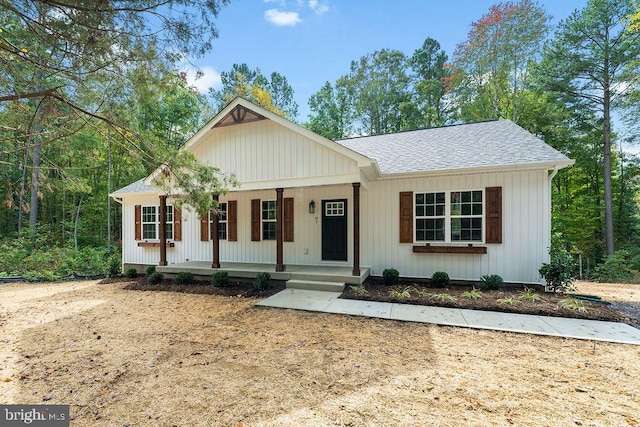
(334, 230)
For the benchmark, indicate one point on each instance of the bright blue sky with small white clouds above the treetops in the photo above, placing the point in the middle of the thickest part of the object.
(314, 41)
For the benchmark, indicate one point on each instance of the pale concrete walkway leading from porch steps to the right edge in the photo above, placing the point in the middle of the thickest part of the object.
(328, 302)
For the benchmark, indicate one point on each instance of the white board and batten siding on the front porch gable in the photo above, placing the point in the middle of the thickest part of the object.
(264, 151)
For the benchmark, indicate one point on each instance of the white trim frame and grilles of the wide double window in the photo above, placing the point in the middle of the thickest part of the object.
(448, 217)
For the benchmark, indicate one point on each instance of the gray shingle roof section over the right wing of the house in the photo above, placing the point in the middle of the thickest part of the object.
(478, 145)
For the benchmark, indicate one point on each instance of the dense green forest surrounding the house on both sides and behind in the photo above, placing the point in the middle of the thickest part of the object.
(91, 100)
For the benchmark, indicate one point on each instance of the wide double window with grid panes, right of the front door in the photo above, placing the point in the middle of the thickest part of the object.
(456, 216)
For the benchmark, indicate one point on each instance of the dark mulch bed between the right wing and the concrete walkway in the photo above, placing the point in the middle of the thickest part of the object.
(548, 304)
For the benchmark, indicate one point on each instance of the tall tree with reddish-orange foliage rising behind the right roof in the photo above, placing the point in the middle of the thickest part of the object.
(491, 66)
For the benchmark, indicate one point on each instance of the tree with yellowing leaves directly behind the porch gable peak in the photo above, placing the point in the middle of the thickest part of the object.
(275, 95)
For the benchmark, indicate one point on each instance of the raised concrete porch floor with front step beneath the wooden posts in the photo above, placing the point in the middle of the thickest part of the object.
(292, 272)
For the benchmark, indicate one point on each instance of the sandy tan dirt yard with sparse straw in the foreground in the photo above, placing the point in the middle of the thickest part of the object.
(133, 358)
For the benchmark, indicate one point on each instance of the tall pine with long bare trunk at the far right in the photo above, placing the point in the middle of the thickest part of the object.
(592, 63)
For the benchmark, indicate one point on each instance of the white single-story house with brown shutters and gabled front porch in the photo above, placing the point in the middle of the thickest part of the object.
(469, 199)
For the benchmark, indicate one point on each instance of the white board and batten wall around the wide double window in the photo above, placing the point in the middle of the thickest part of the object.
(525, 221)
